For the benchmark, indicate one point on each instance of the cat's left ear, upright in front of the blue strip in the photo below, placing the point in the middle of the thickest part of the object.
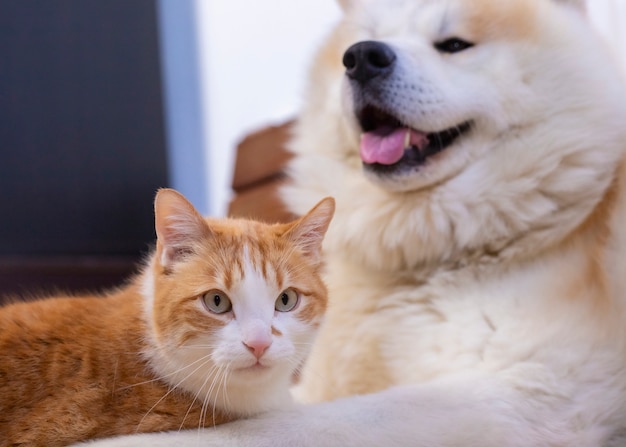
(179, 226)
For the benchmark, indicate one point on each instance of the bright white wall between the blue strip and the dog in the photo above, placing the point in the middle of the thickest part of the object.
(254, 56)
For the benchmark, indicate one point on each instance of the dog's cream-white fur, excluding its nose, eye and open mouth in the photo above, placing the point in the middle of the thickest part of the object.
(479, 300)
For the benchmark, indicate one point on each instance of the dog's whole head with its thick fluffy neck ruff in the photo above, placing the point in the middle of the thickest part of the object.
(492, 119)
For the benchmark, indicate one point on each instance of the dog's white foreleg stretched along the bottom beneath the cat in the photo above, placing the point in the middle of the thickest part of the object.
(448, 413)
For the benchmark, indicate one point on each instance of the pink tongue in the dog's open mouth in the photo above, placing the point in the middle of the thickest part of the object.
(387, 148)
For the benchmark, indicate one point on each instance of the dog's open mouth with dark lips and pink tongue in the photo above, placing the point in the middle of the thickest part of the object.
(387, 144)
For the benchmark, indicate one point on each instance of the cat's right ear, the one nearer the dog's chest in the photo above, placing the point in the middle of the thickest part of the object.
(308, 231)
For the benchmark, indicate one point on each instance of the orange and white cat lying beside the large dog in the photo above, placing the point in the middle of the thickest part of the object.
(212, 329)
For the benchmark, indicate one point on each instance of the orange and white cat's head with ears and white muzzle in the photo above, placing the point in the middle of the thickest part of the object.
(233, 305)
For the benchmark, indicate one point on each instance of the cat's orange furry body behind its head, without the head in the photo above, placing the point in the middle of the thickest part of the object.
(63, 380)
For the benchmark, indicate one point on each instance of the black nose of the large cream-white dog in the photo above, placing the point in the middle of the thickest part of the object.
(367, 60)
